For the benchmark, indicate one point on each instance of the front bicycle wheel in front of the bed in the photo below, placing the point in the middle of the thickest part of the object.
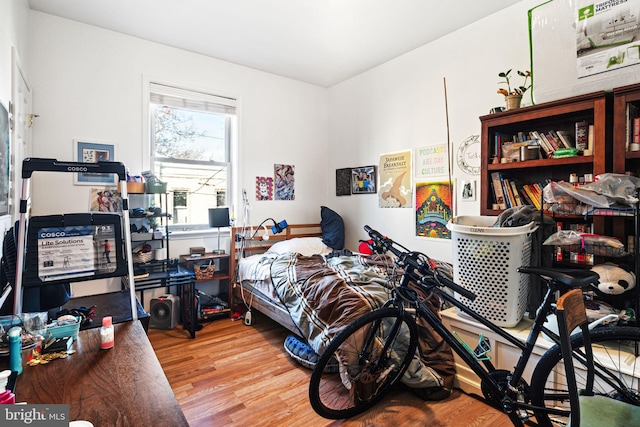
(372, 353)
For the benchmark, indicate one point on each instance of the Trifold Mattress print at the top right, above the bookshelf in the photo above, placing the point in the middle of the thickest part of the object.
(607, 35)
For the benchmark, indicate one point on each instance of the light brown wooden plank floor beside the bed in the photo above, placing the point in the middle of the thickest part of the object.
(237, 375)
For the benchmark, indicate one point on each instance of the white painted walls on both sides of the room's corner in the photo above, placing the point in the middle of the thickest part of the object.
(88, 84)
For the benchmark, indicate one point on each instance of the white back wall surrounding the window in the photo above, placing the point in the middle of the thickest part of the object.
(88, 83)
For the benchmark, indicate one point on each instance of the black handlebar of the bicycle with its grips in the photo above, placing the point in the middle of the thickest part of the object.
(410, 261)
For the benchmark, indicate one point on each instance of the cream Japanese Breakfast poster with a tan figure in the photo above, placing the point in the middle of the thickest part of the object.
(395, 180)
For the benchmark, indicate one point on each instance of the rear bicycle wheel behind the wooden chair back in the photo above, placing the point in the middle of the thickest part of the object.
(616, 353)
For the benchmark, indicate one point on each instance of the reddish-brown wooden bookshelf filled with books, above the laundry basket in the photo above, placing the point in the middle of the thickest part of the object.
(557, 116)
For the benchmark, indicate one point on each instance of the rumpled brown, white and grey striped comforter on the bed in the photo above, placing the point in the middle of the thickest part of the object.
(324, 294)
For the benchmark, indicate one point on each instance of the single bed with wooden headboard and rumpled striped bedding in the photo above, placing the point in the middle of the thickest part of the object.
(307, 287)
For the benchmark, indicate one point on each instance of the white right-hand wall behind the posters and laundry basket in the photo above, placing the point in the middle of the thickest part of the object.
(400, 105)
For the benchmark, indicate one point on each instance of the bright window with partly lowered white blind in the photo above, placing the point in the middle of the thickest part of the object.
(191, 145)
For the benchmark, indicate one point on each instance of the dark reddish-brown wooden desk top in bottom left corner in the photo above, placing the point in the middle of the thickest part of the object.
(123, 386)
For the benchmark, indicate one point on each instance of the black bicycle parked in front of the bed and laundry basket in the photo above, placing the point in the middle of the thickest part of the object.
(375, 349)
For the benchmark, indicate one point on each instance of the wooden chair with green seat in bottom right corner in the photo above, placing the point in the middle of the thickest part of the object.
(587, 409)
